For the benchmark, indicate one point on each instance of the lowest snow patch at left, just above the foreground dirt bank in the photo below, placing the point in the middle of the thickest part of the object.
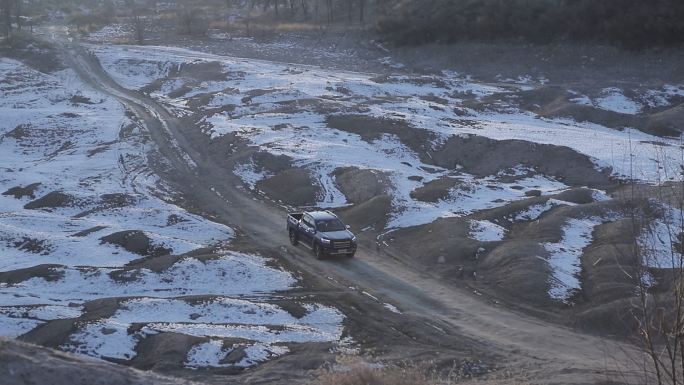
(266, 326)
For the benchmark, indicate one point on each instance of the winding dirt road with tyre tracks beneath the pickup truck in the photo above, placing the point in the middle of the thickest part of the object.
(432, 310)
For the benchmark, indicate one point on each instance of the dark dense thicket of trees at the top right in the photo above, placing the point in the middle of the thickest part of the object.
(630, 23)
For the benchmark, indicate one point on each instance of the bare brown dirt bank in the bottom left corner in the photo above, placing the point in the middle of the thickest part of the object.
(29, 364)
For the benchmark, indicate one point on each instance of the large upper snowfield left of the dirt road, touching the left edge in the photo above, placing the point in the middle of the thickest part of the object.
(62, 135)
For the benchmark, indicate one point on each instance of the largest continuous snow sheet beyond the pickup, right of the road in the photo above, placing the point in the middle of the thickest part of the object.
(257, 90)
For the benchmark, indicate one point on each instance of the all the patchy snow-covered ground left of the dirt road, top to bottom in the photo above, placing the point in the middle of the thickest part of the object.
(79, 150)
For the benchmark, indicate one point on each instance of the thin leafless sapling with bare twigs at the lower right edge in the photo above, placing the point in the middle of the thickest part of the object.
(659, 309)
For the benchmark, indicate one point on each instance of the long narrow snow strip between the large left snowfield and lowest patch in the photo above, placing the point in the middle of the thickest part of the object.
(231, 274)
